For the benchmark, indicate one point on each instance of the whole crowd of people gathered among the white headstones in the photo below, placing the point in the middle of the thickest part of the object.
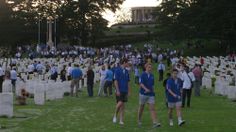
(117, 63)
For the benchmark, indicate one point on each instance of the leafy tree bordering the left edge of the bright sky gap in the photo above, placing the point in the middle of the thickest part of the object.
(84, 18)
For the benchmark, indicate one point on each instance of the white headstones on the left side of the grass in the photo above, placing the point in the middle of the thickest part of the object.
(40, 86)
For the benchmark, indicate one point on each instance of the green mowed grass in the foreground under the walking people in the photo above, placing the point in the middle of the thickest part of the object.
(209, 113)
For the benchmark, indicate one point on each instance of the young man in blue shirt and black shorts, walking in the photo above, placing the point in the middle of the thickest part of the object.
(121, 77)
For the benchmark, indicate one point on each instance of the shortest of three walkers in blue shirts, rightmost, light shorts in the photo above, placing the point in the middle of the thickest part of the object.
(174, 98)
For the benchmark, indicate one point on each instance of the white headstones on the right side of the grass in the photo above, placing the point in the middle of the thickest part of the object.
(223, 81)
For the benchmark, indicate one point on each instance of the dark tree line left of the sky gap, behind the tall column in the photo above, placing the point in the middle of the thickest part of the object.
(78, 21)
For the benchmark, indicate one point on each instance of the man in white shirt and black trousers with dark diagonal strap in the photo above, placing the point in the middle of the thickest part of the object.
(188, 79)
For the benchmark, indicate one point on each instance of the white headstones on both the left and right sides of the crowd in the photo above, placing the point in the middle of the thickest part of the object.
(50, 90)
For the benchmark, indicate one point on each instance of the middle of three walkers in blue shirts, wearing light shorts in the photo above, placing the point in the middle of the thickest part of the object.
(147, 95)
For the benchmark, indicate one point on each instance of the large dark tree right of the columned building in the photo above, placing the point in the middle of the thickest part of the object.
(214, 19)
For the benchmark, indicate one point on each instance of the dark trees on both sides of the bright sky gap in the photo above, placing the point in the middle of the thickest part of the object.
(81, 21)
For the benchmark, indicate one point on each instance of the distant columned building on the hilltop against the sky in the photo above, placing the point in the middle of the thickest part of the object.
(142, 14)
